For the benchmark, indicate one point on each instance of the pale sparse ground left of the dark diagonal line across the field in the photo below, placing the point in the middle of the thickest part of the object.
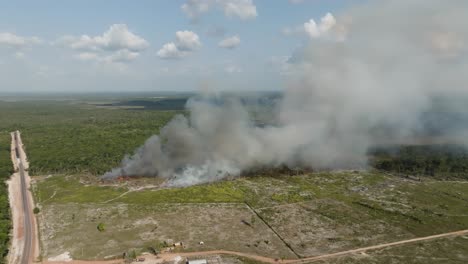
(73, 228)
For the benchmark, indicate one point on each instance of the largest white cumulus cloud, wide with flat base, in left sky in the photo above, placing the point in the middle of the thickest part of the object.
(117, 44)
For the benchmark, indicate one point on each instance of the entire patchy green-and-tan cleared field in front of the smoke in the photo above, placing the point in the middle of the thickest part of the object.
(283, 216)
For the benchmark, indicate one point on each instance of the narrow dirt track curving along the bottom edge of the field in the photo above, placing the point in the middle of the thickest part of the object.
(172, 256)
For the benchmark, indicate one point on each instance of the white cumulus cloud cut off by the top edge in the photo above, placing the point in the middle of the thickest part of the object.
(243, 9)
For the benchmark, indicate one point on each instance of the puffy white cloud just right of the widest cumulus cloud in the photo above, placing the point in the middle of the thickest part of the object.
(185, 43)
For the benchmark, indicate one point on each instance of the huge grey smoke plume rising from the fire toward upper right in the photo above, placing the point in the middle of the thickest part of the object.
(369, 81)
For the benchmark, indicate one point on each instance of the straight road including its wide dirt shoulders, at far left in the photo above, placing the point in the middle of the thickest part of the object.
(24, 244)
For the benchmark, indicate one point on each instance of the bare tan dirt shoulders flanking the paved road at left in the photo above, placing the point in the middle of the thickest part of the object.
(14, 194)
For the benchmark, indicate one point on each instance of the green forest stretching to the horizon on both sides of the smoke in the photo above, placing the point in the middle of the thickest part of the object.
(70, 137)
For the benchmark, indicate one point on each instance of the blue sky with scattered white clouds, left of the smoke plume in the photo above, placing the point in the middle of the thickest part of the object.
(42, 48)
